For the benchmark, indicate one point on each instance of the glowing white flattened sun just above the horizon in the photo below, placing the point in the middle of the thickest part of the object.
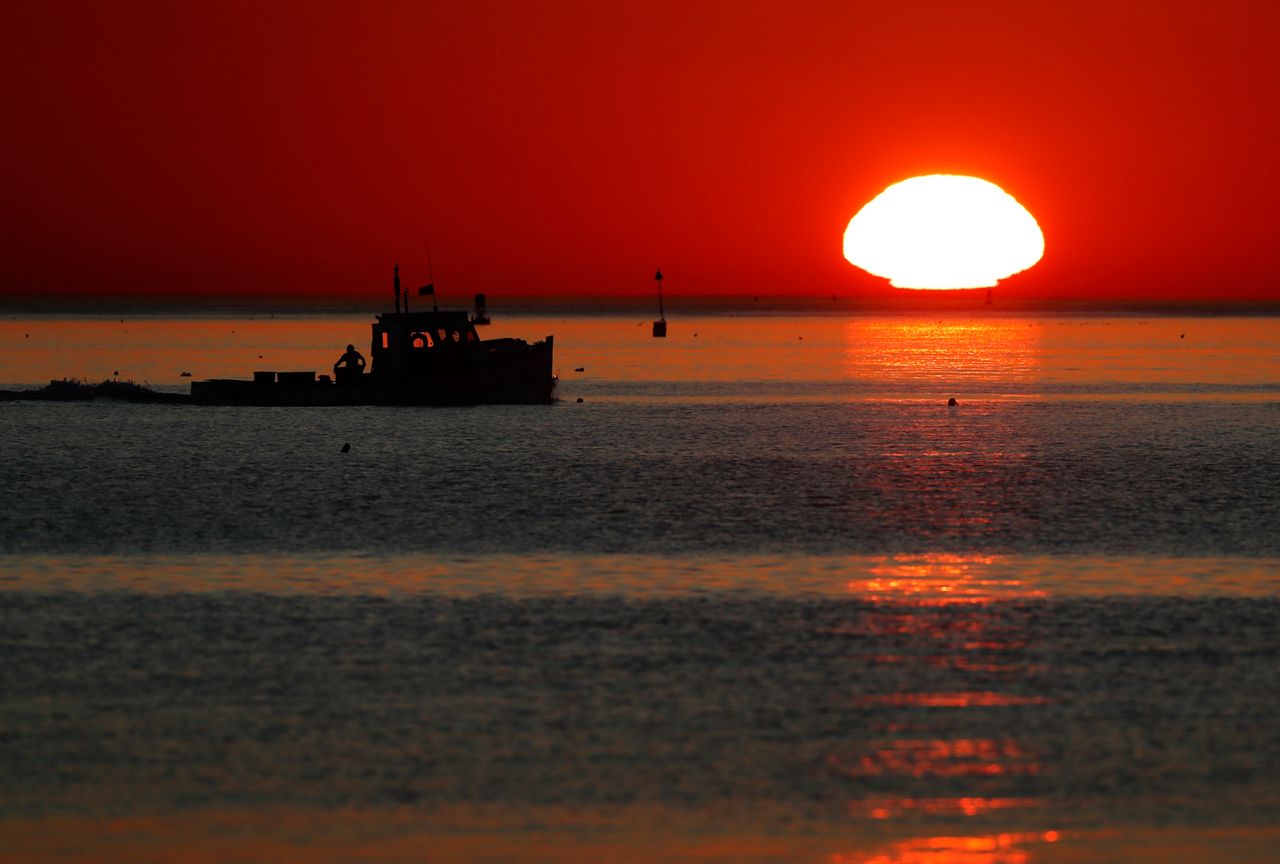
(944, 231)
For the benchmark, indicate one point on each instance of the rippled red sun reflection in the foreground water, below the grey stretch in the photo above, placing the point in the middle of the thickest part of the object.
(941, 620)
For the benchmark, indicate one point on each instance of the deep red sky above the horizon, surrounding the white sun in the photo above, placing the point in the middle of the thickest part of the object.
(572, 148)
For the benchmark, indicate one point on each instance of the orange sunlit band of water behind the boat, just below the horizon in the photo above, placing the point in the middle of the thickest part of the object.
(985, 353)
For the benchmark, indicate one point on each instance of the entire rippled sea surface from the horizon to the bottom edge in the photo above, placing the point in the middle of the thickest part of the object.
(761, 596)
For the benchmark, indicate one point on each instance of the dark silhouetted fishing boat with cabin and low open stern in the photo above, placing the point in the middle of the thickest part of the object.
(429, 358)
